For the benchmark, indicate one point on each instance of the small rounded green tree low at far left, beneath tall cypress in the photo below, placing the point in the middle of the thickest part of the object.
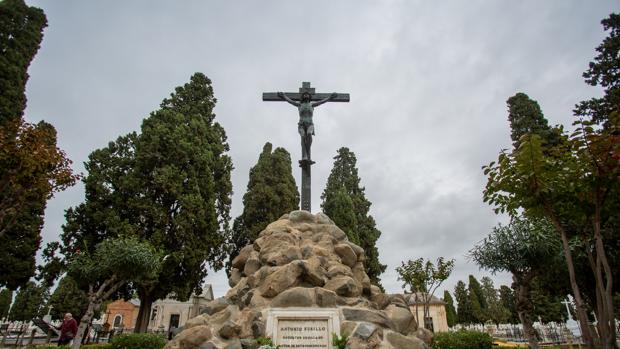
(29, 302)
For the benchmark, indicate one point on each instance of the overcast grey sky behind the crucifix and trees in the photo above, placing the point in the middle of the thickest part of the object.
(428, 82)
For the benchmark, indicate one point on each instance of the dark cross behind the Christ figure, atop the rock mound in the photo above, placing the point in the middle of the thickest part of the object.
(307, 162)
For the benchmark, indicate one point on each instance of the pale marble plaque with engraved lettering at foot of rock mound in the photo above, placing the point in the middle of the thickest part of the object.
(303, 328)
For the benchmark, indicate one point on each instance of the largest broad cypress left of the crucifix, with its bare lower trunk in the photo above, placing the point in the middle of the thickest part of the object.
(184, 170)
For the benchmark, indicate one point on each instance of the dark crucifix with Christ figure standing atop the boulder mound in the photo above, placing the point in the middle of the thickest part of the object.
(305, 100)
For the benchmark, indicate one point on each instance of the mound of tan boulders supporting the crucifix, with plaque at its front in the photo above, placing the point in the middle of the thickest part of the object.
(300, 283)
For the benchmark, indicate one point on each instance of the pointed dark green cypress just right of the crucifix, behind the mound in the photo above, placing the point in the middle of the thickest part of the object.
(344, 177)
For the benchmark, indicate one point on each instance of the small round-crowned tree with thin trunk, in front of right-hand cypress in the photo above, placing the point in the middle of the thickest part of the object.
(523, 248)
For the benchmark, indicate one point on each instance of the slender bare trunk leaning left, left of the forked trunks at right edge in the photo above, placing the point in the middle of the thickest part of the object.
(580, 307)
